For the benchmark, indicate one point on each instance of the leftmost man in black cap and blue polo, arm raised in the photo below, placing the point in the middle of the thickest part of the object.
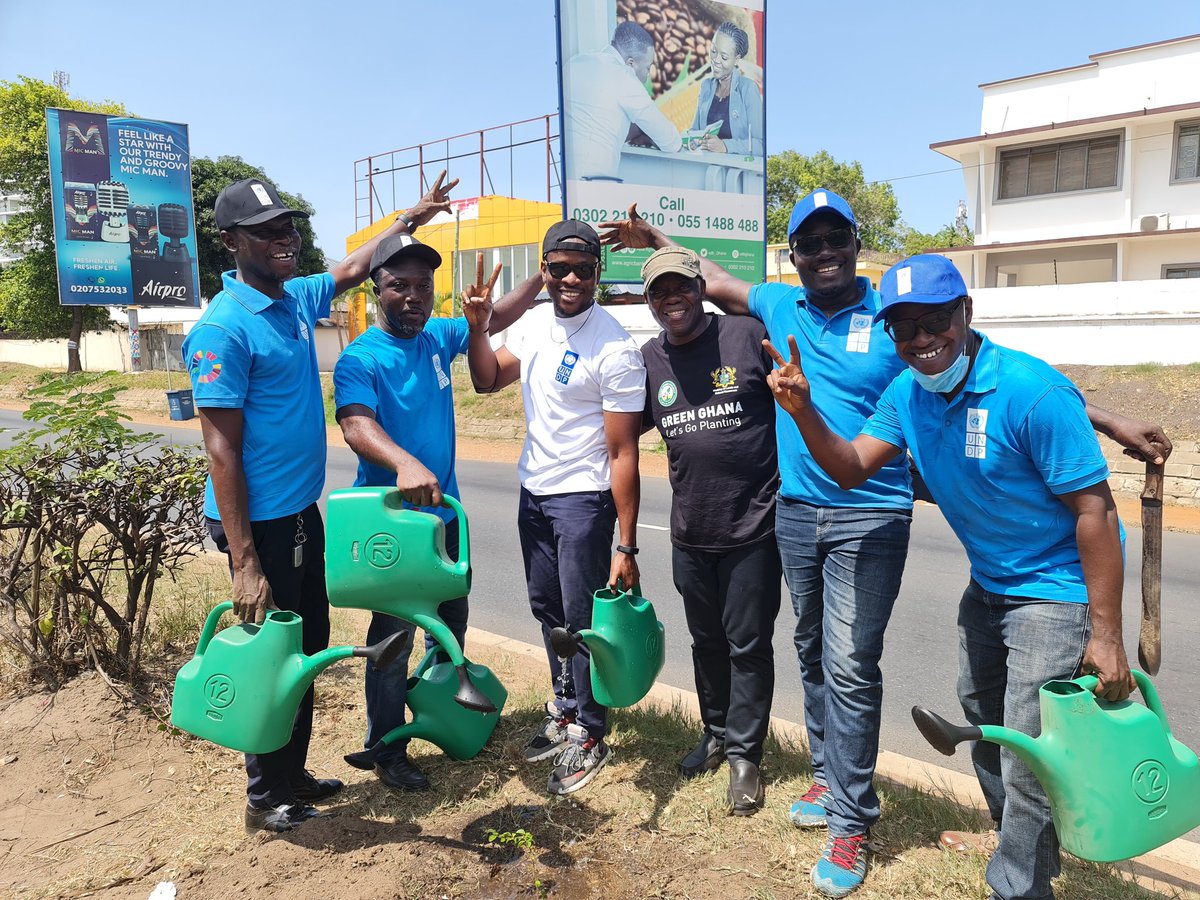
(254, 369)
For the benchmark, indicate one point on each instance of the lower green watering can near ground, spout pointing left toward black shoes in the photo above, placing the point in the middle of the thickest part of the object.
(460, 733)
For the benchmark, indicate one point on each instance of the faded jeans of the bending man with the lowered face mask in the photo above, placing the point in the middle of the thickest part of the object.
(1009, 649)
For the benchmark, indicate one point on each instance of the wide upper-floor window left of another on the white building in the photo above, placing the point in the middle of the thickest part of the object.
(1084, 165)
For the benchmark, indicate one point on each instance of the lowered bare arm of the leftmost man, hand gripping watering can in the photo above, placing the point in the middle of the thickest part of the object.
(223, 441)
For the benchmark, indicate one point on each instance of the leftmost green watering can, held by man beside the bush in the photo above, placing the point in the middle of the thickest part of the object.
(244, 686)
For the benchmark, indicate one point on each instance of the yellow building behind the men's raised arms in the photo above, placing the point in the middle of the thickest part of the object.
(508, 231)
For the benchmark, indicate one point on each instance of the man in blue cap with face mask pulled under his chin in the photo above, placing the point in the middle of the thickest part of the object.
(1006, 447)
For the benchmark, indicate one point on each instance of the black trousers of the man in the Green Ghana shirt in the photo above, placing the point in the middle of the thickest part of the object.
(731, 602)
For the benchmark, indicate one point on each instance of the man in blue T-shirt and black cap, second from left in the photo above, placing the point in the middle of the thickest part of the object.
(395, 404)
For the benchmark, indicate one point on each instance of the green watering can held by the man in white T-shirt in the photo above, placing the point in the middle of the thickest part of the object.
(626, 643)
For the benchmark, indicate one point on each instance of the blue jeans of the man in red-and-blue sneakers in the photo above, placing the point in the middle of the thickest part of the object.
(843, 568)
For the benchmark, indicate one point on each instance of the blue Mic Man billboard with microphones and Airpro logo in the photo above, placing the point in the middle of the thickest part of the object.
(124, 230)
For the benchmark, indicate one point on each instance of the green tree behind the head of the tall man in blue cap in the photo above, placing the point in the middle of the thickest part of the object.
(791, 176)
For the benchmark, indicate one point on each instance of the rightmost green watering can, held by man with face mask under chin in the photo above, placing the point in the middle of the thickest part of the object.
(1119, 784)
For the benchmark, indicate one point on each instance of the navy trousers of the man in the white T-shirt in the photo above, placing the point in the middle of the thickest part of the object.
(567, 547)
